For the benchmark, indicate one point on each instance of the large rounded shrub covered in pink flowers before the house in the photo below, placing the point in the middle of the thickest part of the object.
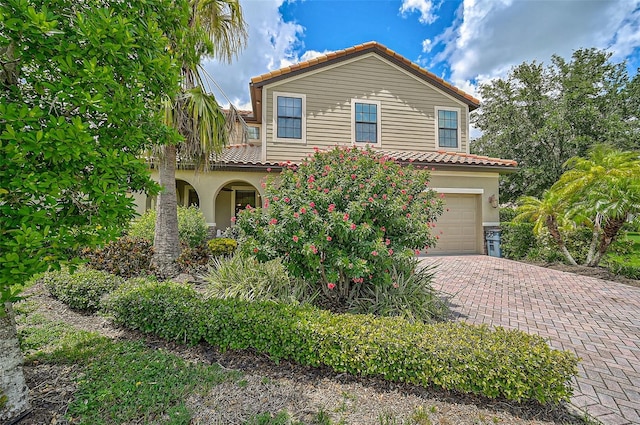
(344, 219)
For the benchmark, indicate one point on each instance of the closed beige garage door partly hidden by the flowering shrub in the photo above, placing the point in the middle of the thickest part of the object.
(459, 226)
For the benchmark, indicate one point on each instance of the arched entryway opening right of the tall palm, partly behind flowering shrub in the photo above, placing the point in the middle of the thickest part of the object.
(233, 197)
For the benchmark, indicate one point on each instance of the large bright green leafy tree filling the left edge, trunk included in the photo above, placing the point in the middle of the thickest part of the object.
(79, 82)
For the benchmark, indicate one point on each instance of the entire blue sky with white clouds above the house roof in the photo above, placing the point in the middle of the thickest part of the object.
(466, 42)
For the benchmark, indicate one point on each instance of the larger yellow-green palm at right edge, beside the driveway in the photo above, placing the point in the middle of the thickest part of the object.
(605, 187)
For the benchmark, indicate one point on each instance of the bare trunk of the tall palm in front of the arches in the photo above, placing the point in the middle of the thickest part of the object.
(166, 242)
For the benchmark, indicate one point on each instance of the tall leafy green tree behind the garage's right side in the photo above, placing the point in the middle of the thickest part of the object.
(542, 116)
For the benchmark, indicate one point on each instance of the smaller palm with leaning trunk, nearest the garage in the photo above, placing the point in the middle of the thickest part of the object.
(547, 212)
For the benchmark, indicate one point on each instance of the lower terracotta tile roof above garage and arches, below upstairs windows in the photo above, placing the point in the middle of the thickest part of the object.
(250, 154)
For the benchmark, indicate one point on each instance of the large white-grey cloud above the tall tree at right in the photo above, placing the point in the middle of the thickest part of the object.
(491, 36)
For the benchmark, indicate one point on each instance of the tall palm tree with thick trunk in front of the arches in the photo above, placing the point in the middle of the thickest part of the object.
(216, 29)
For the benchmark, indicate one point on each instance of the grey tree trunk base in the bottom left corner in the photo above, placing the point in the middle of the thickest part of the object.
(14, 394)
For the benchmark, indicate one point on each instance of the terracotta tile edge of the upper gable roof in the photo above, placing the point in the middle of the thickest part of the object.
(361, 49)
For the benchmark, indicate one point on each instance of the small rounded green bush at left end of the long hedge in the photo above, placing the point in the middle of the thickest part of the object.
(82, 289)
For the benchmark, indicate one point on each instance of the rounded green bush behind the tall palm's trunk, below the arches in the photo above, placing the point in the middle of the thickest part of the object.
(192, 226)
